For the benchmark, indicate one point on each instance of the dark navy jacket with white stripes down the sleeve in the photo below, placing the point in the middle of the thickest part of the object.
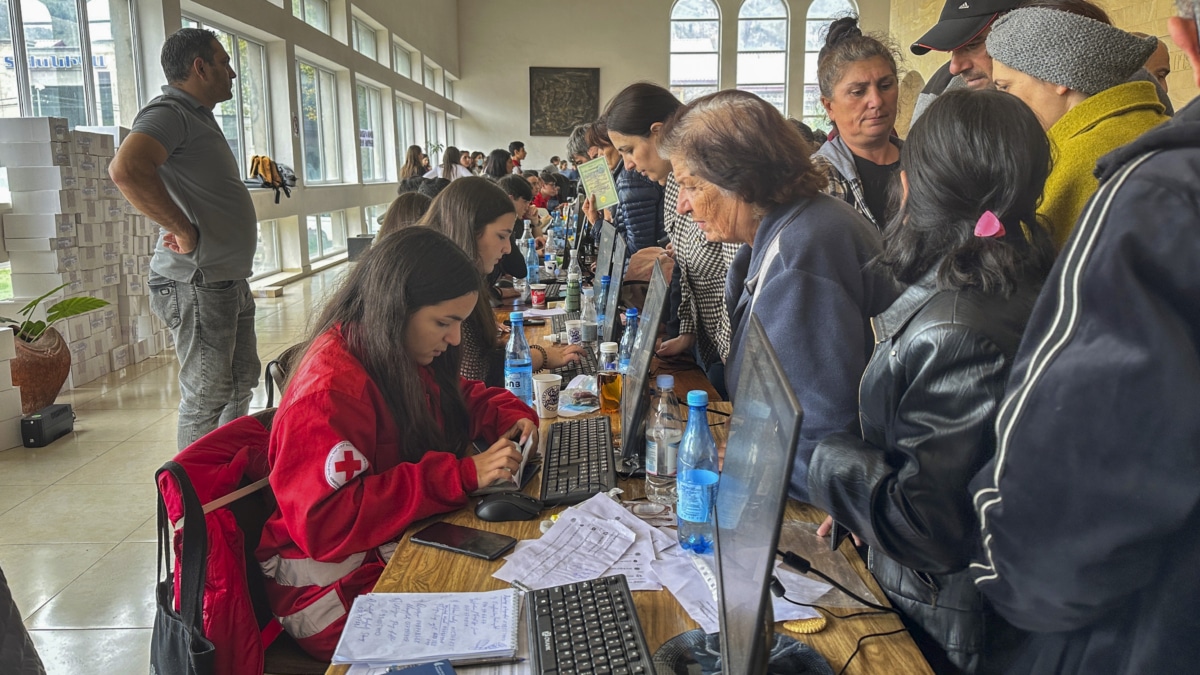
(1091, 511)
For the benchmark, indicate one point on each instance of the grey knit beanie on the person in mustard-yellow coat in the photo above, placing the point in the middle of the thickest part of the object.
(1067, 50)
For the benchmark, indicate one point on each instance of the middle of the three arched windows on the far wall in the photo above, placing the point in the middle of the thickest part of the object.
(763, 51)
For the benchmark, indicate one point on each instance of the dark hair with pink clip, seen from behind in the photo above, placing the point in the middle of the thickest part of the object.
(973, 152)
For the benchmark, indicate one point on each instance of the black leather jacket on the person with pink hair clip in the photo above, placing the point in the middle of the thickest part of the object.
(928, 403)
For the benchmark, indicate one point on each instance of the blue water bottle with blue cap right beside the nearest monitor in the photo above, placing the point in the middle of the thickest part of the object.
(697, 480)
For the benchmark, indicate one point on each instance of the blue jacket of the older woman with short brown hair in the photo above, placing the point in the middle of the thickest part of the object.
(817, 303)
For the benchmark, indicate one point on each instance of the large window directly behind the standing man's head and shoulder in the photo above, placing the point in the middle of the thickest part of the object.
(244, 118)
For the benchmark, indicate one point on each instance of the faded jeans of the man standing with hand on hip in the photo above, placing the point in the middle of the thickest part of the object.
(214, 331)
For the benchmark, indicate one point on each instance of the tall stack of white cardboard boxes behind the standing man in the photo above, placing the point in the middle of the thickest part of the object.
(71, 225)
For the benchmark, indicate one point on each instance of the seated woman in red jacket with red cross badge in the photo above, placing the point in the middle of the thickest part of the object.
(375, 429)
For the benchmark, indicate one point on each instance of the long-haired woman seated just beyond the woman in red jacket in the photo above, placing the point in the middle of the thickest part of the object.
(479, 217)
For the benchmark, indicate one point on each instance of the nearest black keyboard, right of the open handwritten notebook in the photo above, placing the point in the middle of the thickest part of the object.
(587, 628)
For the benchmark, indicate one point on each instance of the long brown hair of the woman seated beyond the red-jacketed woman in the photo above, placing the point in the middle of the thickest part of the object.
(463, 212)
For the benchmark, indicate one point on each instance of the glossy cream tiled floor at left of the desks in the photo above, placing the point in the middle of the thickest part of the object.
(77, 529)
